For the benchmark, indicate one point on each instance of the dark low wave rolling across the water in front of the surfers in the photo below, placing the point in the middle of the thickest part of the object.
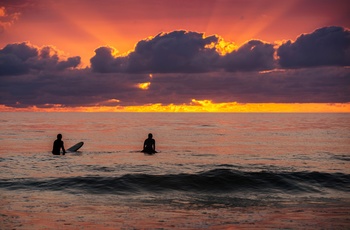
(213, 181)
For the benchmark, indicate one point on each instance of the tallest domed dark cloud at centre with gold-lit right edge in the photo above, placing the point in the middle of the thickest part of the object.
(179, 51)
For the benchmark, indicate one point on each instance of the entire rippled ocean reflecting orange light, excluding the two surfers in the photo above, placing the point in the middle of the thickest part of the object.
(213, 171)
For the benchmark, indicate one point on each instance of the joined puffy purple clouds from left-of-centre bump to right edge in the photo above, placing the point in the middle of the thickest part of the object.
(191, 52)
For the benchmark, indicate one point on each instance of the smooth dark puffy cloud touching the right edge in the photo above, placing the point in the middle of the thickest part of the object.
(328, 46)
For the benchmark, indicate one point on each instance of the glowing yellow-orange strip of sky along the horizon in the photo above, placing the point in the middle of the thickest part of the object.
(205, 106)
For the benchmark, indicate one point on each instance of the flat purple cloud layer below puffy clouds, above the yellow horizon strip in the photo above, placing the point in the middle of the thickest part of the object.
(85, 88)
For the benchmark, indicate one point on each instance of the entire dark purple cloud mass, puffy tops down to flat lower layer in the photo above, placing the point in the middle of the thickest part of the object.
(180, 66)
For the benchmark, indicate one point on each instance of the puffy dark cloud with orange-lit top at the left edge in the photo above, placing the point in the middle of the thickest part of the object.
(21, 58)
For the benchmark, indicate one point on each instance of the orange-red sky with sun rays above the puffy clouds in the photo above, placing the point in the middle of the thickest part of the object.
(79, 27)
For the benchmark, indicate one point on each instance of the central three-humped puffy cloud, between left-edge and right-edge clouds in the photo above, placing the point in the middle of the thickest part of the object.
(184, 52)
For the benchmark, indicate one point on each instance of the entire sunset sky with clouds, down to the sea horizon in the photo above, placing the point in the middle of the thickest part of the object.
(175, 55)
